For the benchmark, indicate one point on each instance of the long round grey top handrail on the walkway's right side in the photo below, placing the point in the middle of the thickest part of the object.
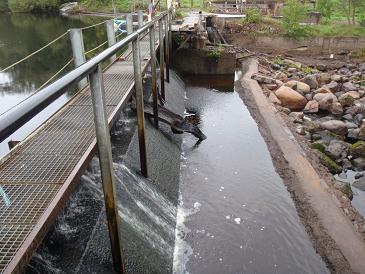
(14, 118)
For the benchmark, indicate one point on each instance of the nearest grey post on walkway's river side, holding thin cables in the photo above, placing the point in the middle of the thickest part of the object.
(78, 51)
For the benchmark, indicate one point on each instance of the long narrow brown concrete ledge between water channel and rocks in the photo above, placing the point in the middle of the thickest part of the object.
(332, 233)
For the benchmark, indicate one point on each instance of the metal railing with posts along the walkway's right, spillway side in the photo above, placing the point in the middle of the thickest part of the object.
(20, 114)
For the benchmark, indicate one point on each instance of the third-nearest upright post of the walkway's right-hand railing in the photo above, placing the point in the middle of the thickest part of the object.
(154, 74)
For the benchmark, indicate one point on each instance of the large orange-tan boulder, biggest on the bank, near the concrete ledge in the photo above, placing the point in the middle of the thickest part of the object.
(290, 98)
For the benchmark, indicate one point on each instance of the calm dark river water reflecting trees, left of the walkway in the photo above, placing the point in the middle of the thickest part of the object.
(22, 34)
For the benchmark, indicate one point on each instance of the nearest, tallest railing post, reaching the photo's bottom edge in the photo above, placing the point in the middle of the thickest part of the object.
(106, 166)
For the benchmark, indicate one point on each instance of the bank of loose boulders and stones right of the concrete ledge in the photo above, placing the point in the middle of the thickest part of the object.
(326, 104)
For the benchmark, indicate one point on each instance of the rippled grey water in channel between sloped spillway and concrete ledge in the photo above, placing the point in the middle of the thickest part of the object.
(235, 214)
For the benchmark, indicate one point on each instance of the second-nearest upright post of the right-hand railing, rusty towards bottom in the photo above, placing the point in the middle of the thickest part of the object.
(140, 107)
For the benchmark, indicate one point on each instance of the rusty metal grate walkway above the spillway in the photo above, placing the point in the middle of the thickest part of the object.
(40, 173)
